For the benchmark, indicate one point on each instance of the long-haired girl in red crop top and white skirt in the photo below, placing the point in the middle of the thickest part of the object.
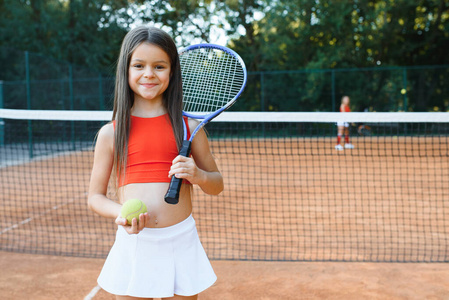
(159, 255)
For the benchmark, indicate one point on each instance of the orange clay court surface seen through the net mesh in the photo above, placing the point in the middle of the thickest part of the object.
(285, 199)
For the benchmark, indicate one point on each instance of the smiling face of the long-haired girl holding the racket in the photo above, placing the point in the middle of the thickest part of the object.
(149, 73)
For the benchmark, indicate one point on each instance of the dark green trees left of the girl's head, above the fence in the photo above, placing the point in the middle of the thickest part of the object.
(72, 30)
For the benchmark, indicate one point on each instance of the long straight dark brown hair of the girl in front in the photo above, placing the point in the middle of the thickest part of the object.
(124, 96)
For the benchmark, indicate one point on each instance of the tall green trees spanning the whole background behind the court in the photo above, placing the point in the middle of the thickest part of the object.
(270, 35)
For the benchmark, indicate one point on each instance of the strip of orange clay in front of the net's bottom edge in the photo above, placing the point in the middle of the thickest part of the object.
(38, 277)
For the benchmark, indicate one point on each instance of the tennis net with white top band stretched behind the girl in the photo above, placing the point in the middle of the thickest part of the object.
(289, 194)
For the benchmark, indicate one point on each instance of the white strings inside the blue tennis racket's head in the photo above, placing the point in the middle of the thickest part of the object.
(211, 79)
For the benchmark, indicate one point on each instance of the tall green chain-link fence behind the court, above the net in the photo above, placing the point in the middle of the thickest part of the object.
(31, 81)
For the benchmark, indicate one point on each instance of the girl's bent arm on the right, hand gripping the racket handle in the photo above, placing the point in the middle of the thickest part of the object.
(202, 169)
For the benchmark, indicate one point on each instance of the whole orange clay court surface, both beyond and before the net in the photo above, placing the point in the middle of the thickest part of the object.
(297, 220)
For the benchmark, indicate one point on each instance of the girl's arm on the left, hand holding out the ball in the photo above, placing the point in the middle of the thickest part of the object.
(101, 171)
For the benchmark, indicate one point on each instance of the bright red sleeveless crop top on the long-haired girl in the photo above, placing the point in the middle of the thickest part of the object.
(151, 150)
